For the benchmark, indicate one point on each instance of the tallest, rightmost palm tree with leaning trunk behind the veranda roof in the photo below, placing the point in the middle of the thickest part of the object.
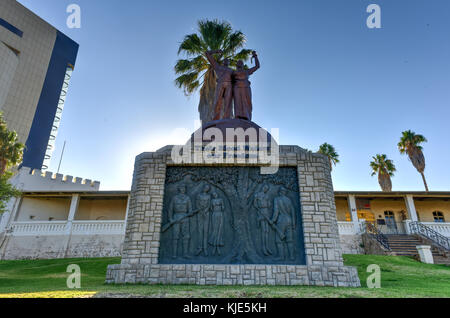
(410, 144)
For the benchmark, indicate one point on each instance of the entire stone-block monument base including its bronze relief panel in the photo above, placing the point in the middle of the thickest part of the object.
(154, 241)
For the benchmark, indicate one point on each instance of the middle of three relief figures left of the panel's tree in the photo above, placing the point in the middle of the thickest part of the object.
(203, 205)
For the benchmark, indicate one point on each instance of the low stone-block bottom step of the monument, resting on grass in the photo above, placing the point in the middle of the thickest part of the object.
(202, 274)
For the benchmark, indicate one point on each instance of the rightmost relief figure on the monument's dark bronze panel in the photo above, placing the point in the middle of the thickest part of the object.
(284, 218)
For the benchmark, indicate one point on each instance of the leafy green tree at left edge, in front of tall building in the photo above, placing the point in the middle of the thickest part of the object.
(10, 155)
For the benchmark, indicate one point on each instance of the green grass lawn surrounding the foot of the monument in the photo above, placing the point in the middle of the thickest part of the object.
(400, 277)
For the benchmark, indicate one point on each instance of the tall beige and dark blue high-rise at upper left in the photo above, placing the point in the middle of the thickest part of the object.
(36, 64)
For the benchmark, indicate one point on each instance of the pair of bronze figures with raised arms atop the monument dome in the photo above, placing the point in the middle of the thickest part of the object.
(233, 87)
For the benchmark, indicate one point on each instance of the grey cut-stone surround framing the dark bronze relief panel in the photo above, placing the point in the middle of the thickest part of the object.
(321, 237)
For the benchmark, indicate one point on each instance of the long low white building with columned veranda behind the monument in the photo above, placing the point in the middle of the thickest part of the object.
(61, 217)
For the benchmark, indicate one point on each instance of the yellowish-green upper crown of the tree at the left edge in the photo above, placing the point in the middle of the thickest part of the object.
(11, 150)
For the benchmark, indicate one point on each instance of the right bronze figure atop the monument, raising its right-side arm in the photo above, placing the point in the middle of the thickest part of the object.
(242, 93)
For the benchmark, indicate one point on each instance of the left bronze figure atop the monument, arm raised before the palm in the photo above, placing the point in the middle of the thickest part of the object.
(224, 89)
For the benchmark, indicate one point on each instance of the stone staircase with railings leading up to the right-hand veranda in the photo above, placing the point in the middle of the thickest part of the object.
(405, 245)
